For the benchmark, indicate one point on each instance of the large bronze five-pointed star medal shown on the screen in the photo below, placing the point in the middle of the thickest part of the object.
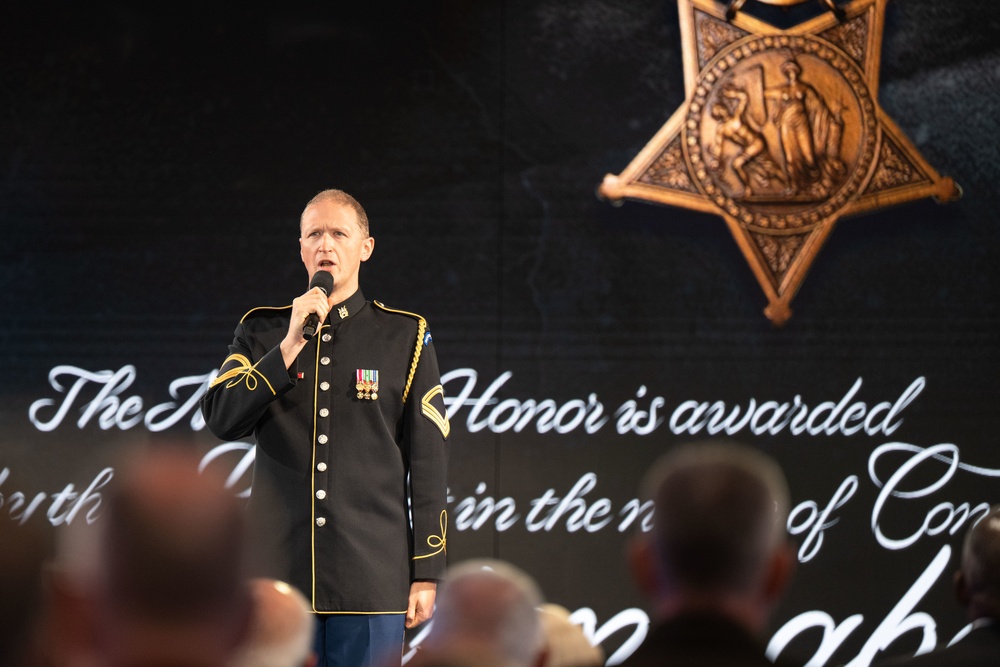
(781, 134)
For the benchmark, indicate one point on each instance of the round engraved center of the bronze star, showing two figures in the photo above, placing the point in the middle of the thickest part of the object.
(766, 135)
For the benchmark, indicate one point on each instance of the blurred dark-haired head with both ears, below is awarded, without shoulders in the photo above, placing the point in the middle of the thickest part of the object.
(718, 542)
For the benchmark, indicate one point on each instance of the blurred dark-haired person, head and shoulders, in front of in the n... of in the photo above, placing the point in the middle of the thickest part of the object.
(717, 559)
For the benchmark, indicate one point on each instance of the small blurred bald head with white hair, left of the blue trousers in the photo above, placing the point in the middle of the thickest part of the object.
(282, 629)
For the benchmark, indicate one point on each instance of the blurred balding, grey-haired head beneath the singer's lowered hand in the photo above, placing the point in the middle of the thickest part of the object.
(486, 608)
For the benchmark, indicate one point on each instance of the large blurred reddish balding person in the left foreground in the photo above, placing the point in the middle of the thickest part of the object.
(158, 579)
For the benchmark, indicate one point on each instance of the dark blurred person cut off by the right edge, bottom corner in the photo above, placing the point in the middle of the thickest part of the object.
(977, 587)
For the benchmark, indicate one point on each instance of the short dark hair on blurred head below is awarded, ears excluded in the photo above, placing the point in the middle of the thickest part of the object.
(720, 511)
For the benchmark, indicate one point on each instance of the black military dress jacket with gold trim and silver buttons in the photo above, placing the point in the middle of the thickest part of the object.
(338, 470)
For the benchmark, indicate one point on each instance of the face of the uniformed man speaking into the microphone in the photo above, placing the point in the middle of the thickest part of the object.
(333, 241)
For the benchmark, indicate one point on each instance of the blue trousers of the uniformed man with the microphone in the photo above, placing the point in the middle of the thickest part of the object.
(359, 640)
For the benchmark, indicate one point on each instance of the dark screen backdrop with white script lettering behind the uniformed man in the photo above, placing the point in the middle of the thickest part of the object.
(154, 163)
